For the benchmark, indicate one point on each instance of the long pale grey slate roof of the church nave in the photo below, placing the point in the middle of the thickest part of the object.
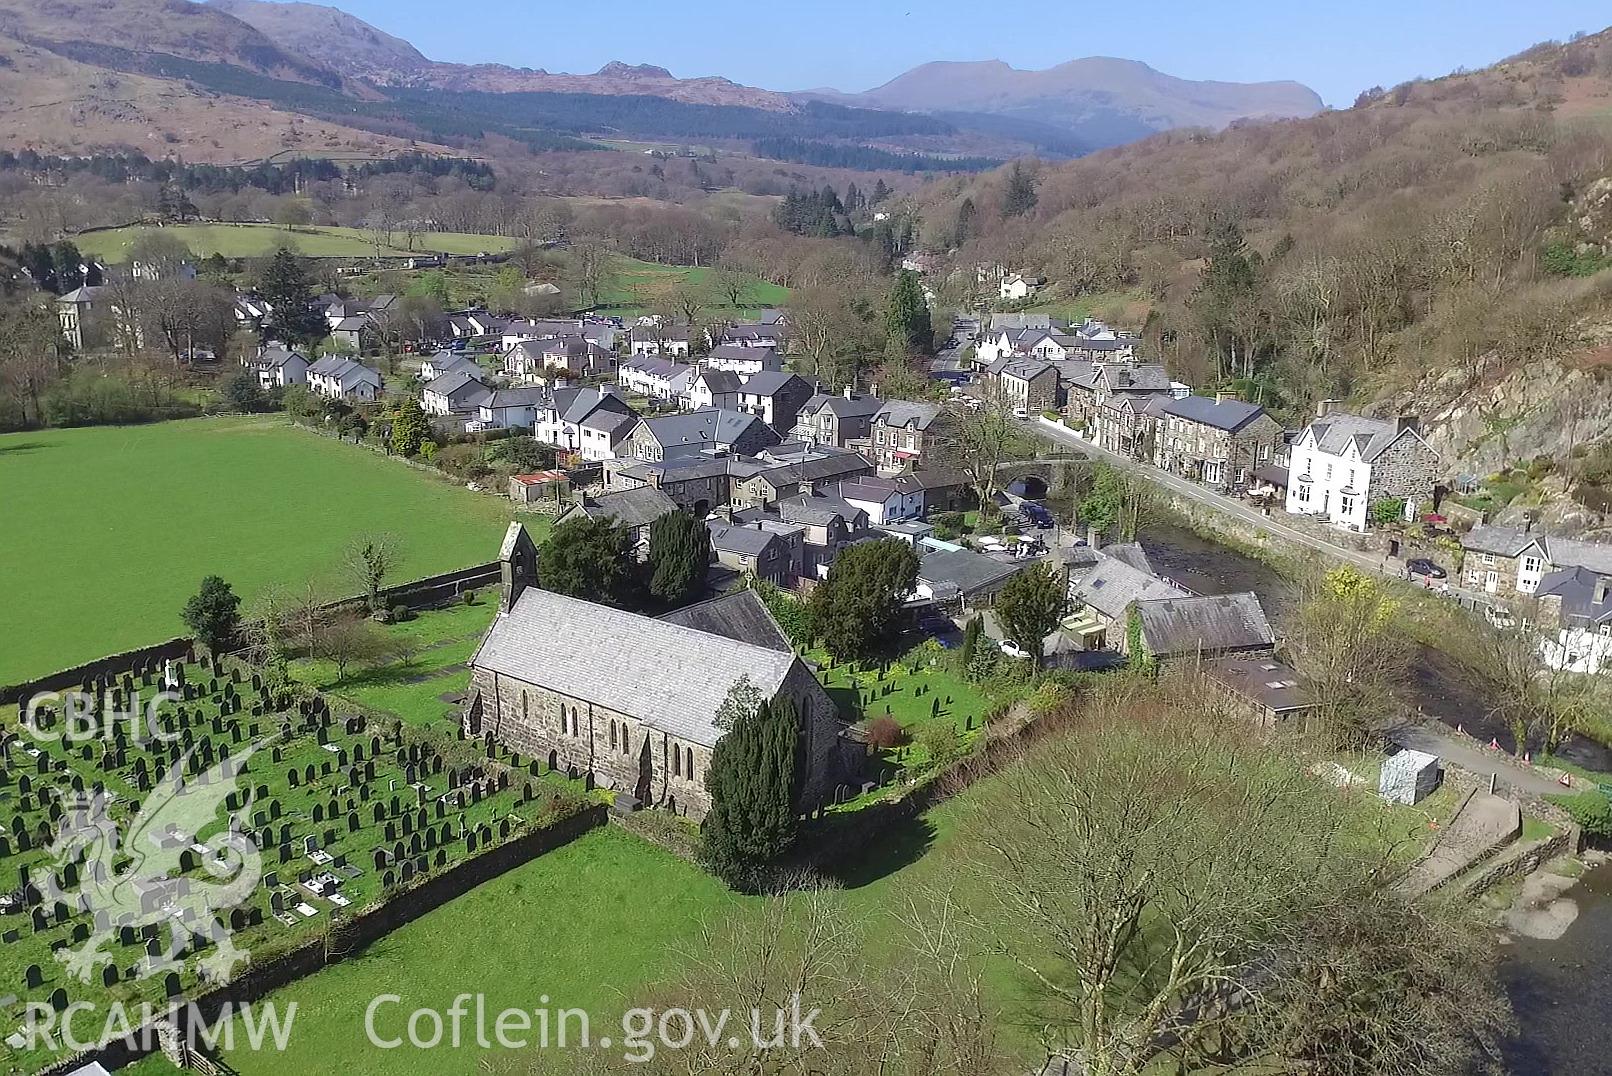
(667, 675)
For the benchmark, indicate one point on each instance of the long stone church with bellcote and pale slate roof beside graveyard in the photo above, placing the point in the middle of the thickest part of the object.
(629, 699)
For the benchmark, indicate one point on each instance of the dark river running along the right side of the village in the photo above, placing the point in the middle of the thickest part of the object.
(1558, 988)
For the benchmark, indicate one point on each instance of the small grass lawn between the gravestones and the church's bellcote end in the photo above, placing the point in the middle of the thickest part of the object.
(441, 643)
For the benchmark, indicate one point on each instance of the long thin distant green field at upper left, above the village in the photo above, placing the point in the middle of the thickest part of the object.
(249, 241)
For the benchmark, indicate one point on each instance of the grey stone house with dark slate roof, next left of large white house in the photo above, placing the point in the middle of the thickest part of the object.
(1219, 443)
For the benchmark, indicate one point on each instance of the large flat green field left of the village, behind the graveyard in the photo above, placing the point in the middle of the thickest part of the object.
(107, 532)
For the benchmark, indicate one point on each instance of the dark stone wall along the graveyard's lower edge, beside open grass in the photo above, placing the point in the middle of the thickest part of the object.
(402, 907)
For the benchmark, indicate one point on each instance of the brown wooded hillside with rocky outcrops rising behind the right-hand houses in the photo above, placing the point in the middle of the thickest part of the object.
(1444, 246)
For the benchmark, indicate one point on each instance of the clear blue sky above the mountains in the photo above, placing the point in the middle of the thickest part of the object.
(1339, 49)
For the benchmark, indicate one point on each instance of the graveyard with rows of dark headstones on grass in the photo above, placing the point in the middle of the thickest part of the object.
(286, 815)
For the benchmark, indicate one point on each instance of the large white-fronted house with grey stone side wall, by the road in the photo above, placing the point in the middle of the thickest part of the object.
(1345, 464)
